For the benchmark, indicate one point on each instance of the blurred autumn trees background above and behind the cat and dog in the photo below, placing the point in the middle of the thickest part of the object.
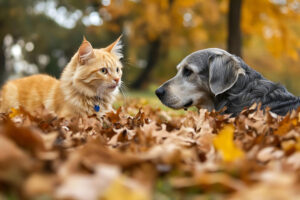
(40, 36)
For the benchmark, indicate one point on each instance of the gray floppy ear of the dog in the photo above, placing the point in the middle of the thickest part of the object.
(224, 71)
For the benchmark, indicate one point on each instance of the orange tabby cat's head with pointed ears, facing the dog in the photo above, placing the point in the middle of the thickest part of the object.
(98, 72)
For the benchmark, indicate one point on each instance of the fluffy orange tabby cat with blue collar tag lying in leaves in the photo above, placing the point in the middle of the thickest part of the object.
(88, 85)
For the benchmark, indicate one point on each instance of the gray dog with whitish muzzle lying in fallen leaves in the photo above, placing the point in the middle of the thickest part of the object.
(213, 78)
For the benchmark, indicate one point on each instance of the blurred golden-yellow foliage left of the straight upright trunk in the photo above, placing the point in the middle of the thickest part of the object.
(175, 21)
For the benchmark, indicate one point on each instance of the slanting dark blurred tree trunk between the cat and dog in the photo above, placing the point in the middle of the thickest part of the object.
(152, 58)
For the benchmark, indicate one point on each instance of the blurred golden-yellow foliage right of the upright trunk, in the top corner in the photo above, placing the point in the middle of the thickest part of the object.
(275, 22)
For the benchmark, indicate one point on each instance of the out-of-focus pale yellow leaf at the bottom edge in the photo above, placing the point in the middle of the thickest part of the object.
(119, 190)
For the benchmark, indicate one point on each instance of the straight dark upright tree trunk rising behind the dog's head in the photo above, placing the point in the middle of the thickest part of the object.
(234, 38)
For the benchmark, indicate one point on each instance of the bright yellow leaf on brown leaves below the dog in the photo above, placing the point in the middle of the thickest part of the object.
(224, 143)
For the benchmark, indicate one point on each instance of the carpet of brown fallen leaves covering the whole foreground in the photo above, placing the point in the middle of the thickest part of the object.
(141, 153)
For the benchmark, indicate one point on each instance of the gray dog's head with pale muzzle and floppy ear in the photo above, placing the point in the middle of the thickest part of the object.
(201, 76)
